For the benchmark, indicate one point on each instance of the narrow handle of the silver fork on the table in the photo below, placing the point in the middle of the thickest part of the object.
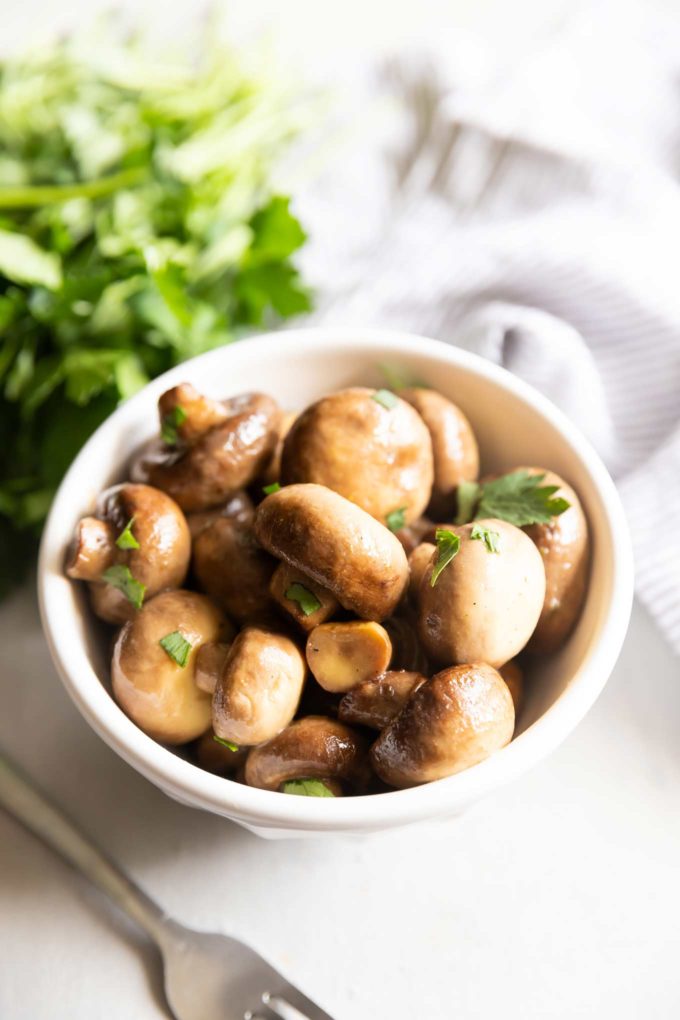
(28, 805)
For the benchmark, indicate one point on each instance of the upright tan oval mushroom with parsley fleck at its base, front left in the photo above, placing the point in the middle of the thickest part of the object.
(260, 687)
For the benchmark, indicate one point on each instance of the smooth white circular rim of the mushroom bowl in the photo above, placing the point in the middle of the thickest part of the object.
(259, 808)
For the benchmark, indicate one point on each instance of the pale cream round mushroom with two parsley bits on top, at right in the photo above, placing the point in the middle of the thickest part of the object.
(486, 603)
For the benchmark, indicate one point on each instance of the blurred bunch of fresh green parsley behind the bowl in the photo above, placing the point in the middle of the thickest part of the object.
(138, 228)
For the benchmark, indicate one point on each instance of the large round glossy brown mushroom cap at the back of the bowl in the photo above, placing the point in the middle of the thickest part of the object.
(379, 457)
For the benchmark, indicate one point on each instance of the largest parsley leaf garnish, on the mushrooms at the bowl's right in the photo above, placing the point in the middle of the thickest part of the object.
(520, 499)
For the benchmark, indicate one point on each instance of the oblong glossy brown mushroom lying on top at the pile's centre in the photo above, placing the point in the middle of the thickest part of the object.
(338, 545)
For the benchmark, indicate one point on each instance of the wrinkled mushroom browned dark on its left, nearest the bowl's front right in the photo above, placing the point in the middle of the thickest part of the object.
(456, 720)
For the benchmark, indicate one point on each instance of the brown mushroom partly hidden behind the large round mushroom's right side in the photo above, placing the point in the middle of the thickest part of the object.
(454, 446)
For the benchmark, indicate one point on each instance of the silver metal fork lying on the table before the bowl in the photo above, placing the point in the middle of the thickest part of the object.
(206, 977)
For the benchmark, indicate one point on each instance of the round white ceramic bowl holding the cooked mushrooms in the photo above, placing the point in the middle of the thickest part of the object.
(514, 425)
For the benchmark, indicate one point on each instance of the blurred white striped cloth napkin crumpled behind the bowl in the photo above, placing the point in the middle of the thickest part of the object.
(540, 226)
